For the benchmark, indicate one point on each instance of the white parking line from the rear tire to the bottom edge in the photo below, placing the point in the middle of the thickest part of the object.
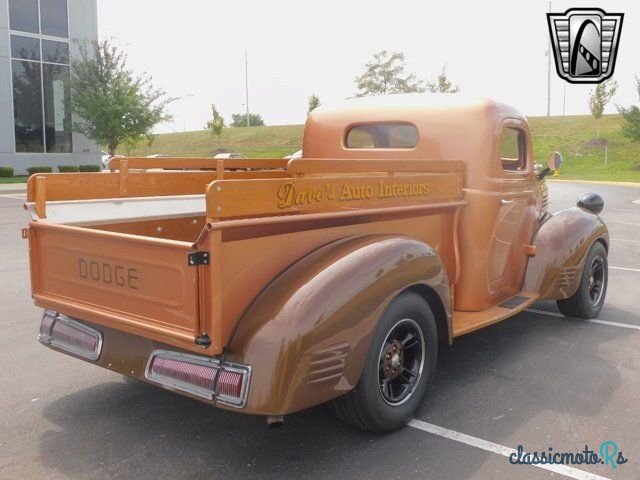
(499, 449)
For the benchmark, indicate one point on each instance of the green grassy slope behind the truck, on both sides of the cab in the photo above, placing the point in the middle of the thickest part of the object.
(573, 136)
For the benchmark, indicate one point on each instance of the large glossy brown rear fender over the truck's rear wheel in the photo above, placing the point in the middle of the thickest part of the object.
(307, 335)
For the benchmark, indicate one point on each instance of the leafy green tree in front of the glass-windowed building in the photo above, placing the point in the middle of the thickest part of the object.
(115, 105)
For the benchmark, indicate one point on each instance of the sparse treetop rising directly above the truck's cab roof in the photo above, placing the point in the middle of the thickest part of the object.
(386, 74)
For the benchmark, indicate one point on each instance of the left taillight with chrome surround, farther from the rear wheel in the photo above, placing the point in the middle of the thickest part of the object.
(69, 335)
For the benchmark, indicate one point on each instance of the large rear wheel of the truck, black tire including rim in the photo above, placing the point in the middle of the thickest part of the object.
(382, 402)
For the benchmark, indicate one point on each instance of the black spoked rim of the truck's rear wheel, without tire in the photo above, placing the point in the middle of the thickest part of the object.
(400, 362)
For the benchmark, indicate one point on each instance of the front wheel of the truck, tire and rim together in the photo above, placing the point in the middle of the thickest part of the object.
(588, 300)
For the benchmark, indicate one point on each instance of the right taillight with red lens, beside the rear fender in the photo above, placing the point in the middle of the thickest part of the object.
(198, 375)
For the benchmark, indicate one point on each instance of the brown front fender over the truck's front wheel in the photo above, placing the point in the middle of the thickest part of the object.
(562, 244)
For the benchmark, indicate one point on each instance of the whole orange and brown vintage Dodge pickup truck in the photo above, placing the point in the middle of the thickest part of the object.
(267, 286)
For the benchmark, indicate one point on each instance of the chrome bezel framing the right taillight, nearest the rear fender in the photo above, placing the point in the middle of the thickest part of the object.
(175, 384)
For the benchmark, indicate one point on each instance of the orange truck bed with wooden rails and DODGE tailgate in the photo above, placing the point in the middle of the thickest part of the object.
(178, 256)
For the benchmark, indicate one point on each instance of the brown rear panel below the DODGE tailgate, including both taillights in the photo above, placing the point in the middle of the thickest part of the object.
(196, 376)
